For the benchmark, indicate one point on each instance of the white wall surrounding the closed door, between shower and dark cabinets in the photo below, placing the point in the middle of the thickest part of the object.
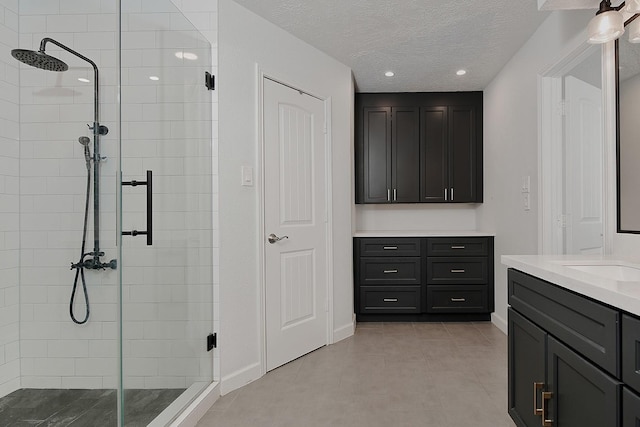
(244, 41)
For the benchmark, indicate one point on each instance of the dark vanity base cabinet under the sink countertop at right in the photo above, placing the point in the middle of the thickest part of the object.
(573, 361)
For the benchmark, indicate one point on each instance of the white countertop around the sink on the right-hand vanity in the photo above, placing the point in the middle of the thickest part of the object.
(623, 294)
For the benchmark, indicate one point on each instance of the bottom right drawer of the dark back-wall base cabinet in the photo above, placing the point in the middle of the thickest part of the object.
(457, 299)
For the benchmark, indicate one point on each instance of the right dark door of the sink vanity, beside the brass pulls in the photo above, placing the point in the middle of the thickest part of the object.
(582, 394)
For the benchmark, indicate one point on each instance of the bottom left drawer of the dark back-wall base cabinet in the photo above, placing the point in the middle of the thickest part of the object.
(389, 299)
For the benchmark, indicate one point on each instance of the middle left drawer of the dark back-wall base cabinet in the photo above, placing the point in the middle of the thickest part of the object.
(381, 271)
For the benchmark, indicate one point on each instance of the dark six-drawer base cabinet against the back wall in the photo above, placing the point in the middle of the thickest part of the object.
(423, 278)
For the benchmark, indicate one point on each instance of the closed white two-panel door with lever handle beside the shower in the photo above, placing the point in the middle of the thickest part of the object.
(295, 212)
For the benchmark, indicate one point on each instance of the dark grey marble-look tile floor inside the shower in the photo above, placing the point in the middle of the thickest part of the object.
(81, 408)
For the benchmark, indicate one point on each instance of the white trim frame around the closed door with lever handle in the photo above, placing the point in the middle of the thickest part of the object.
(262, 74)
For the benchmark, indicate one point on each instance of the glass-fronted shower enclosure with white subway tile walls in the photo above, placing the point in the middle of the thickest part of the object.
(141, 356)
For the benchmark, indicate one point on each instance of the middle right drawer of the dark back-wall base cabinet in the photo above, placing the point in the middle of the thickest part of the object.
(458, 270)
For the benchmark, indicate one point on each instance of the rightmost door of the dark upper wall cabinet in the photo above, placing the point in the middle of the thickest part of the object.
(462, 154)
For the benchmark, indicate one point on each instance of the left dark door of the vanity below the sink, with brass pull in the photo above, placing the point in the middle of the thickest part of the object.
(527, 351)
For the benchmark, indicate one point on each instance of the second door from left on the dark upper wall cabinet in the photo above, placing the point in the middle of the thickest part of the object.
(405, 155)
